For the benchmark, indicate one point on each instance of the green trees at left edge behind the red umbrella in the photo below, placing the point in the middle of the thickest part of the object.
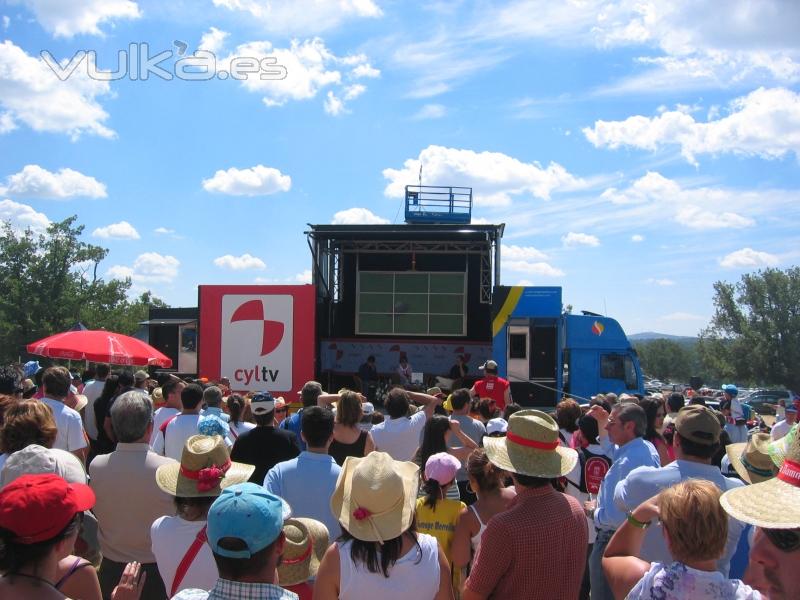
(49, 282)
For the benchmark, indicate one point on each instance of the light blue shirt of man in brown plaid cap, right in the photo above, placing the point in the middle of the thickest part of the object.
(645, 482)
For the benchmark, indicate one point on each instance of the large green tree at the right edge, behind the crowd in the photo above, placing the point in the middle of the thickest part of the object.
(755, 332)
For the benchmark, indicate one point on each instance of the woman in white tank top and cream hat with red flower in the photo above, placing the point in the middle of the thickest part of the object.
(380, 554)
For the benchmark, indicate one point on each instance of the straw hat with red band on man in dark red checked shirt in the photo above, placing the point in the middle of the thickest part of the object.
(531, 447)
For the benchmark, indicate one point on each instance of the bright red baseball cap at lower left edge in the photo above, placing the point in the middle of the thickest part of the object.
(38, 507)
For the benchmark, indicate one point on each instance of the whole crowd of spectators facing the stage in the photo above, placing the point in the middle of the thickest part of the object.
(115, 485)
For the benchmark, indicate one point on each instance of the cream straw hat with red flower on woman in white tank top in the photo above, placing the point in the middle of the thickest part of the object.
(375, 496)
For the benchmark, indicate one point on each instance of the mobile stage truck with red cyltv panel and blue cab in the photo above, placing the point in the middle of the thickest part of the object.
(428, 290)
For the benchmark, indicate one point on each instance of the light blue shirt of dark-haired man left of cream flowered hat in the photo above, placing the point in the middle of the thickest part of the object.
(307, 483)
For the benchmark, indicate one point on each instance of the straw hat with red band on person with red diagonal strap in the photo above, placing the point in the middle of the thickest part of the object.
(205, 469)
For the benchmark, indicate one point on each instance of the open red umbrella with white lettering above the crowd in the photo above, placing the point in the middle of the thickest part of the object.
(99, 346)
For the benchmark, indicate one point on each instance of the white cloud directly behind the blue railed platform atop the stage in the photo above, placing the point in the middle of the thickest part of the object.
(494, 177)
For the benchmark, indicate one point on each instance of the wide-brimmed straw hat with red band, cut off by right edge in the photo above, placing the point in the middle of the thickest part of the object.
(772, 504)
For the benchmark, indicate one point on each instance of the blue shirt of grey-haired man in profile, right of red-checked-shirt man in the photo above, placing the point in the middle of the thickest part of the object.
(636, 453)
